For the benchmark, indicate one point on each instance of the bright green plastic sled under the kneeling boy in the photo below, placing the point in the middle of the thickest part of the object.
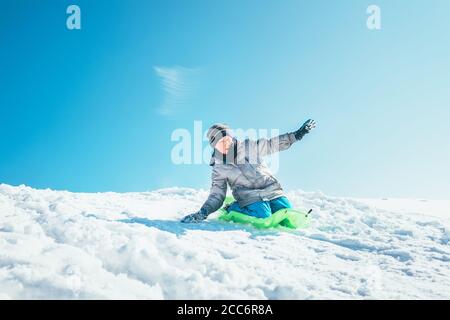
(288, 218)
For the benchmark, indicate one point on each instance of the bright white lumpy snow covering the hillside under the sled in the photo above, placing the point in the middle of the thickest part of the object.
(63, 245)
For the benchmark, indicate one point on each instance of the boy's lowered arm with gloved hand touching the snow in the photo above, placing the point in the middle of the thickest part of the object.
(215, 199)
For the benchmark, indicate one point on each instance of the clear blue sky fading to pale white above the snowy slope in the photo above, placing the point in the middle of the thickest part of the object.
(93, 109)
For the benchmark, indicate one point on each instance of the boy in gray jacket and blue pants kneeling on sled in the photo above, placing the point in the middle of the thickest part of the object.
(239, 164)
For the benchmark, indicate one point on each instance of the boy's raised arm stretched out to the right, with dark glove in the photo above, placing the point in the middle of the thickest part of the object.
(282, 142)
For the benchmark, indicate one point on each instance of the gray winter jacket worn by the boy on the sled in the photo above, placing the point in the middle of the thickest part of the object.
(243, 169)
